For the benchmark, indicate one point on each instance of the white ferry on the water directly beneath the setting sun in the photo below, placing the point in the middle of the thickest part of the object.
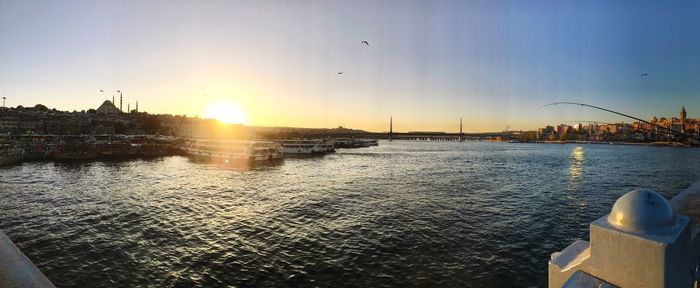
(234, 150)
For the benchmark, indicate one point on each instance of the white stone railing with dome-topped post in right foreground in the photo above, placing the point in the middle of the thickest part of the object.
(645, 241)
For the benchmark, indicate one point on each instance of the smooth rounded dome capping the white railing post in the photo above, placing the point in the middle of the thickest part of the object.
(642, 211)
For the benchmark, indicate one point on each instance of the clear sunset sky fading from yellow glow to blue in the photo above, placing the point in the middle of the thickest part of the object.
(493, 63)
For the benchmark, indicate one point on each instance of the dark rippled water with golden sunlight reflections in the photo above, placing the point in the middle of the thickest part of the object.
(402, 214)
